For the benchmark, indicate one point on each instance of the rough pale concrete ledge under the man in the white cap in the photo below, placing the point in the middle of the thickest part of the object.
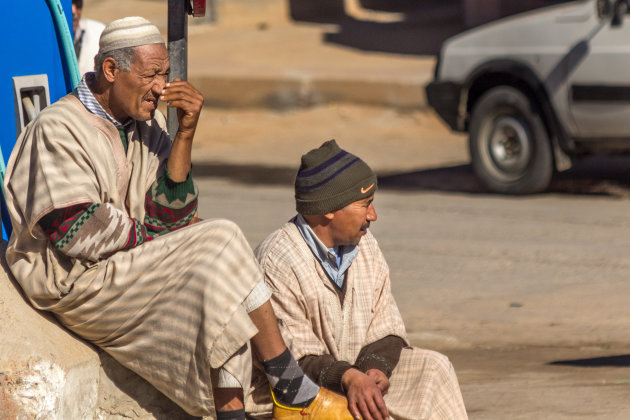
(47, 372)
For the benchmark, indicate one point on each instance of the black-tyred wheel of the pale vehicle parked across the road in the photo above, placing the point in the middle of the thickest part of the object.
(509, 145)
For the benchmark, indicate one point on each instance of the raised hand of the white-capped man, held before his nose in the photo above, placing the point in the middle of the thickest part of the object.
(188, 101)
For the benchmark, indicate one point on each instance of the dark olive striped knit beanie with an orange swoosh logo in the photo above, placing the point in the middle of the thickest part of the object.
(330, 178)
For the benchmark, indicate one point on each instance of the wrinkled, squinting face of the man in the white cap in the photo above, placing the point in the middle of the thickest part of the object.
(135, 93)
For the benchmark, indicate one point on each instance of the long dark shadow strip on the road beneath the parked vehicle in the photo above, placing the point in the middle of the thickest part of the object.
(594, 176)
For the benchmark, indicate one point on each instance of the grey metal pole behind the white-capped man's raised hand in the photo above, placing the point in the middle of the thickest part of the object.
(177, 51)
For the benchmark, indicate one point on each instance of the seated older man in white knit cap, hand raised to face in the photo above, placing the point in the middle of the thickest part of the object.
(105, 236)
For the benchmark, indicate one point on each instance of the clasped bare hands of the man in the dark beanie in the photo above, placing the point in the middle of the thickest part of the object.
(365, 399)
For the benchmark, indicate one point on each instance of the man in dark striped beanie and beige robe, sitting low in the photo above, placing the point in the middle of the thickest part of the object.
(331, 294)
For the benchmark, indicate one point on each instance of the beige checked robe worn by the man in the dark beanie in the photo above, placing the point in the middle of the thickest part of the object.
(312, 321)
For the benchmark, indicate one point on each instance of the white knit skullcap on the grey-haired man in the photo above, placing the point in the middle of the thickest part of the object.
(129, 32)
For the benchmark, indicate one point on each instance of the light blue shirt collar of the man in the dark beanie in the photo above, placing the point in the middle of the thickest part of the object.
(335, 262)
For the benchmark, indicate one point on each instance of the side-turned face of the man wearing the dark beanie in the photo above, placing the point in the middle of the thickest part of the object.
(351, 222)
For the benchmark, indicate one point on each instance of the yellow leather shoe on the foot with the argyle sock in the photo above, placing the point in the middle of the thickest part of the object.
(327, 405)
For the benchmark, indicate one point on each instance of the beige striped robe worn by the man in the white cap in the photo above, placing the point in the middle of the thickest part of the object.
(169, 309)
